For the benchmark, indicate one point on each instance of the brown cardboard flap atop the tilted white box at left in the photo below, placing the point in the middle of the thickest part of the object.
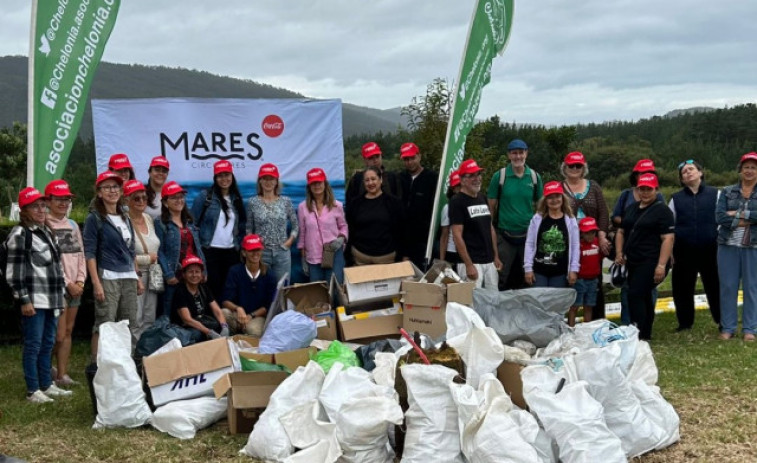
(188, 361)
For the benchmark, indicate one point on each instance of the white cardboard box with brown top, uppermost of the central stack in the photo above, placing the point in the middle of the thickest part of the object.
(369, 282)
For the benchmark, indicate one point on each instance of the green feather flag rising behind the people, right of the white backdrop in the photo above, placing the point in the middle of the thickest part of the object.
(487, 37)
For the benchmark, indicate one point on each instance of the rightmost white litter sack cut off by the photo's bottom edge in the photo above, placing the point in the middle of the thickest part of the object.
(575, 420)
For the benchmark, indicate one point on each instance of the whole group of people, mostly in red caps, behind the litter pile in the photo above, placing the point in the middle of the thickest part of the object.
(212, 268)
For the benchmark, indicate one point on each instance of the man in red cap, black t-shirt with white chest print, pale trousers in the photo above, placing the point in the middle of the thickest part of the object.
(472, 229)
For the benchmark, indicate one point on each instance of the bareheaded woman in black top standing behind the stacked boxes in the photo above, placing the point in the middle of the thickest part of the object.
(375, 223)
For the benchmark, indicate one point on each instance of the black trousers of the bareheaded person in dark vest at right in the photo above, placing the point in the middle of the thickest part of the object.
(688, 262)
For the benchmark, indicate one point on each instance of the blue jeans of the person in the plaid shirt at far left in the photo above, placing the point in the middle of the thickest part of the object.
(39, 338)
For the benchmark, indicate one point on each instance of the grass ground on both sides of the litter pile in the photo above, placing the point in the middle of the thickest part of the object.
(711, 383)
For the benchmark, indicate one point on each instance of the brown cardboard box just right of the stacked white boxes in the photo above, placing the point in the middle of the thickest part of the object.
(424, 305)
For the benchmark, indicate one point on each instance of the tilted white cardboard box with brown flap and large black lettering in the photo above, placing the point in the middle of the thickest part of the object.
(188, 372)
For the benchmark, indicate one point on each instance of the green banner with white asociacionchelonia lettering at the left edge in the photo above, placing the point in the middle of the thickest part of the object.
(68, 38)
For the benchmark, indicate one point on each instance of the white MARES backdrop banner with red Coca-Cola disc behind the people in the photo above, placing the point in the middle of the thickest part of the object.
(192, 133)
